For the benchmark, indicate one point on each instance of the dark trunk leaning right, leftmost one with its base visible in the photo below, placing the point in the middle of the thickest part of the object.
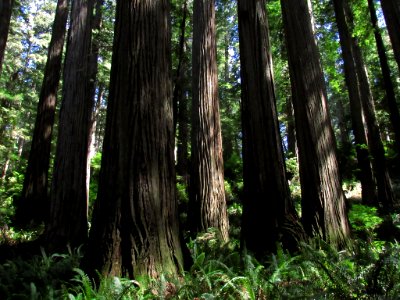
(33, 206)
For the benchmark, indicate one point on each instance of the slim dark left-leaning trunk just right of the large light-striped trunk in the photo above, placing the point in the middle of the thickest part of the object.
(366, 176)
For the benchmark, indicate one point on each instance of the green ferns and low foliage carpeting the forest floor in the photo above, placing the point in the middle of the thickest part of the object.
(371, 269)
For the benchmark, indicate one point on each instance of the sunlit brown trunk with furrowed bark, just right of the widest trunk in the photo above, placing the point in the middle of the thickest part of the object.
(207, 194)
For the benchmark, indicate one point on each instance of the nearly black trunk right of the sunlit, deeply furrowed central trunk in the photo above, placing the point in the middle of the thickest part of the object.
(267, 201)
